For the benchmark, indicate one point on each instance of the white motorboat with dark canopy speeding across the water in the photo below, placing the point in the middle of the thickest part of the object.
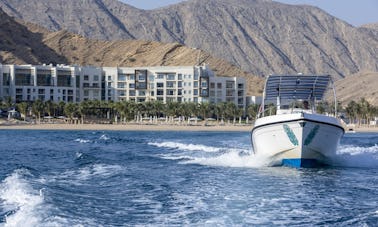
(295, 135)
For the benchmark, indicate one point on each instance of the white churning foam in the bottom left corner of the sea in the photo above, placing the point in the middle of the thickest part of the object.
(25, 205)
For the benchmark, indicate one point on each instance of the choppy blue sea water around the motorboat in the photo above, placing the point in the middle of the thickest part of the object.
(120, 178)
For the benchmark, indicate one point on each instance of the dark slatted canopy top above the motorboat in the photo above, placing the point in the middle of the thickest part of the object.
(292, 87)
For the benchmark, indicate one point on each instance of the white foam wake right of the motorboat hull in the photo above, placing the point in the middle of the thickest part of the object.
(354, 156)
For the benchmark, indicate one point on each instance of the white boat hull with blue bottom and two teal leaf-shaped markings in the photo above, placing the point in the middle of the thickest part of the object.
(297, 140)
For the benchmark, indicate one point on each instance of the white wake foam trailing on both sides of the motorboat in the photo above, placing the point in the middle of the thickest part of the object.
(346, 156)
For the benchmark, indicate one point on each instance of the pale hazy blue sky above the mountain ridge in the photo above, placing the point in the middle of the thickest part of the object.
(355, 12)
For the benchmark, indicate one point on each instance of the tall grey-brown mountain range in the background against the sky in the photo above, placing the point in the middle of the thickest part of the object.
(260, 36)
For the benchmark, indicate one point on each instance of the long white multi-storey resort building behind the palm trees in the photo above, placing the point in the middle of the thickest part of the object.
(78, 83)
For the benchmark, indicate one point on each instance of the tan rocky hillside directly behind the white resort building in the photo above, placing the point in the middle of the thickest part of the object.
(26, 43)
